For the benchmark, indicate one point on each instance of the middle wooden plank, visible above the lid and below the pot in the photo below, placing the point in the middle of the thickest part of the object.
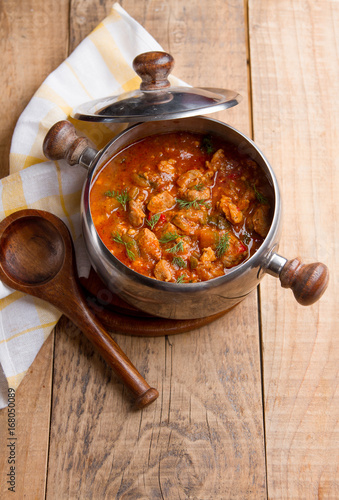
(203, 437)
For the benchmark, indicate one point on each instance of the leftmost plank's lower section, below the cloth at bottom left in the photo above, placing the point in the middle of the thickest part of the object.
(32, 408)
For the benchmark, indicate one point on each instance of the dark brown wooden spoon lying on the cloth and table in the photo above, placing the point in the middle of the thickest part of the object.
(37, 257)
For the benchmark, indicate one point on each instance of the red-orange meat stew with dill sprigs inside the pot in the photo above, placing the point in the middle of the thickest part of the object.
(181, 207)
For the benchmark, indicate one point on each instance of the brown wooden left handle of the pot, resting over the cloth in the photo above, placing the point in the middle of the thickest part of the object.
(63, 143)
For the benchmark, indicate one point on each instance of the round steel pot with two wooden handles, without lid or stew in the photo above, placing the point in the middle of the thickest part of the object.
(191, 300)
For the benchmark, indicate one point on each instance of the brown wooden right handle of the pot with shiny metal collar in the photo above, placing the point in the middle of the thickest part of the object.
(307, 281)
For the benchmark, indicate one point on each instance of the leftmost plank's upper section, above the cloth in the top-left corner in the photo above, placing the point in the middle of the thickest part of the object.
(33, 42)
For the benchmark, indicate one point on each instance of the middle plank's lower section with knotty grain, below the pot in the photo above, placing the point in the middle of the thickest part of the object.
(202, 437)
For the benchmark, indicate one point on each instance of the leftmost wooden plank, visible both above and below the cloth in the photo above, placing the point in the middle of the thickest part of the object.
(33, 42)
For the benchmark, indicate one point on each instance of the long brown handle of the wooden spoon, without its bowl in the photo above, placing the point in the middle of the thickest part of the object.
(76, 309)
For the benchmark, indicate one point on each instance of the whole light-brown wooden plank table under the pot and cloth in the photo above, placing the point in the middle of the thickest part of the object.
(248, 405)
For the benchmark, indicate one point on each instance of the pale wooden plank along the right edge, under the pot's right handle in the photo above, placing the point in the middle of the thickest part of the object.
(294, 62)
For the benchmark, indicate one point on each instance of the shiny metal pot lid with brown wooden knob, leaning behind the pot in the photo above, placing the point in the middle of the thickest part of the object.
(156, 99)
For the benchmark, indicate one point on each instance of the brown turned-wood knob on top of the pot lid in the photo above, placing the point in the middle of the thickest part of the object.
(153, 68)
